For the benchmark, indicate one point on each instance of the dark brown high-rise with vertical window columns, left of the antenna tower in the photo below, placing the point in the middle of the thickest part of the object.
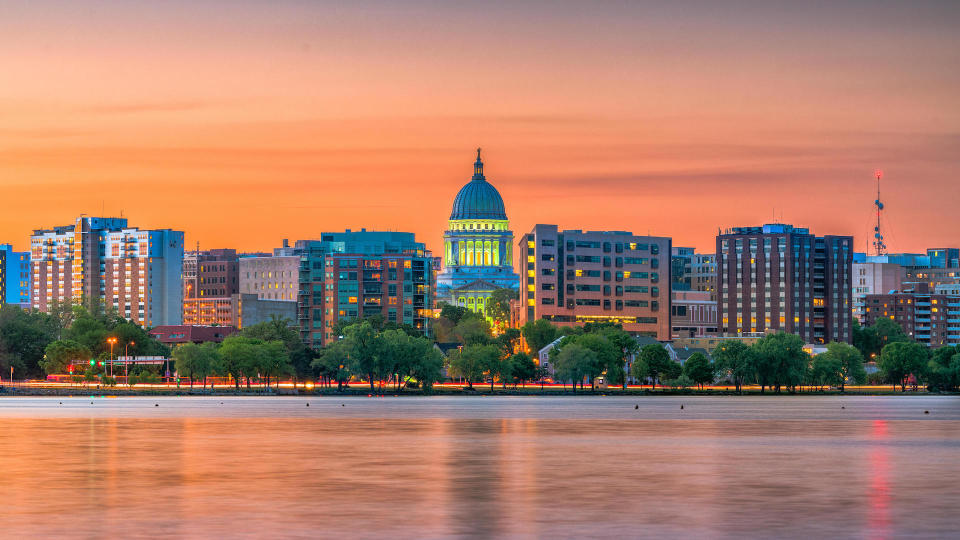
(782, 278)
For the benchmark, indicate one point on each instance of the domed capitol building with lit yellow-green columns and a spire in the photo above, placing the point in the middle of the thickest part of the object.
(478, 246)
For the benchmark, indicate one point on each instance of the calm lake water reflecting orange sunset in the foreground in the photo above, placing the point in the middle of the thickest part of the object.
(761, 467)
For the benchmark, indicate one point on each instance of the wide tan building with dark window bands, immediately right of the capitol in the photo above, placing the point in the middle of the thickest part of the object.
(575, 277)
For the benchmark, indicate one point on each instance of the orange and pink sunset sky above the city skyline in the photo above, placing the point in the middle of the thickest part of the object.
(244, 122)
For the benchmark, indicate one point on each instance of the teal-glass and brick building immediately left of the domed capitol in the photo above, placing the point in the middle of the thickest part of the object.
(357, 274)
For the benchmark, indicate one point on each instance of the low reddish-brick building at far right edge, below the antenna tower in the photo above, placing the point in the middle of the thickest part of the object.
(929, 317)
